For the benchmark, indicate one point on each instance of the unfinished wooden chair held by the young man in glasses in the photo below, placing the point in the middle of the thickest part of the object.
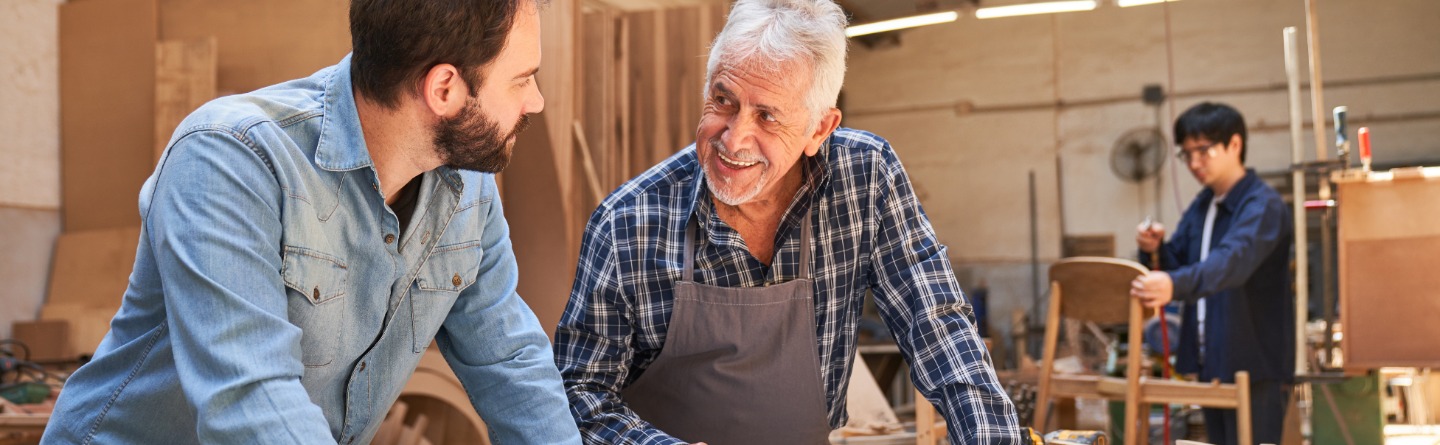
(1099, 290)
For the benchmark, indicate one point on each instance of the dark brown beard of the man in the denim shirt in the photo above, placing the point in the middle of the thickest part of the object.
(470, 140)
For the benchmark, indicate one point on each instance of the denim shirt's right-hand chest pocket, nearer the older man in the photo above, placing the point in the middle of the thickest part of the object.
(450, 270)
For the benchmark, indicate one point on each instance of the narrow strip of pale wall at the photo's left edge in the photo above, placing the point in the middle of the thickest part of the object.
(31, 153)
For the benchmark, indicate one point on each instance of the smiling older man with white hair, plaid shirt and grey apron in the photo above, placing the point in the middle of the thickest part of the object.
(718, 295)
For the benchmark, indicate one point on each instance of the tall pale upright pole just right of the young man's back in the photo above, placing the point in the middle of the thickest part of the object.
(1302, 259)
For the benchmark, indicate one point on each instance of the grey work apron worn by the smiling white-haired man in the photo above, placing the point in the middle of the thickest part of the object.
(739, 365)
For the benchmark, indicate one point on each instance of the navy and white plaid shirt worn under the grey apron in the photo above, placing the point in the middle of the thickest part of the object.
(872, 235)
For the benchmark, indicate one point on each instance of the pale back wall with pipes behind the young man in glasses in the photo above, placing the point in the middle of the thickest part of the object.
(974, 106)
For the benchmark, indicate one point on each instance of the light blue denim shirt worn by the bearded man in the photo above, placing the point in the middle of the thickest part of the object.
(276, 300)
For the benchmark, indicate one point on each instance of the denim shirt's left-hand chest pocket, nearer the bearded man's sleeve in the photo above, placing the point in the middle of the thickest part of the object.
(316, 289)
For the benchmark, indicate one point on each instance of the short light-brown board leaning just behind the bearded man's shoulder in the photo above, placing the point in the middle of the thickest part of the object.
(185, 80)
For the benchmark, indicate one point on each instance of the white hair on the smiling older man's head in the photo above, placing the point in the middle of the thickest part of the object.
(777, 32)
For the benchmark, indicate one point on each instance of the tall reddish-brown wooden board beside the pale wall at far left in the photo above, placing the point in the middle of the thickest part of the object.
(107, 110)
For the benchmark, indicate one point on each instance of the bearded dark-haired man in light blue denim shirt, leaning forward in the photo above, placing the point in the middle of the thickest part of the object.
(303, 246)
